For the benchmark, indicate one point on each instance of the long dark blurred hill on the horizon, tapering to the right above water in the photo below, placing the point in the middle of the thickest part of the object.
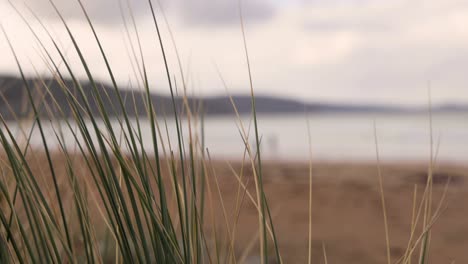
(14, 101)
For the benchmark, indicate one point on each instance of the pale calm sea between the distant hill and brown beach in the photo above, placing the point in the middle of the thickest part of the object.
(298, 137)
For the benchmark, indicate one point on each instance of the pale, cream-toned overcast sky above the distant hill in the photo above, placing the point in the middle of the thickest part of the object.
(351, 51)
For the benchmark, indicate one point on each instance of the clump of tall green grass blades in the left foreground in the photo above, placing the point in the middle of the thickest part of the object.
(108, 196)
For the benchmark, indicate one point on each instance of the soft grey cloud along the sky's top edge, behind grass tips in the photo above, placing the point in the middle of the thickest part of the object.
(191, 12)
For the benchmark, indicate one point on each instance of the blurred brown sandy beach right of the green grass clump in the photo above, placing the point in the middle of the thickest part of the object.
(347, 218)
